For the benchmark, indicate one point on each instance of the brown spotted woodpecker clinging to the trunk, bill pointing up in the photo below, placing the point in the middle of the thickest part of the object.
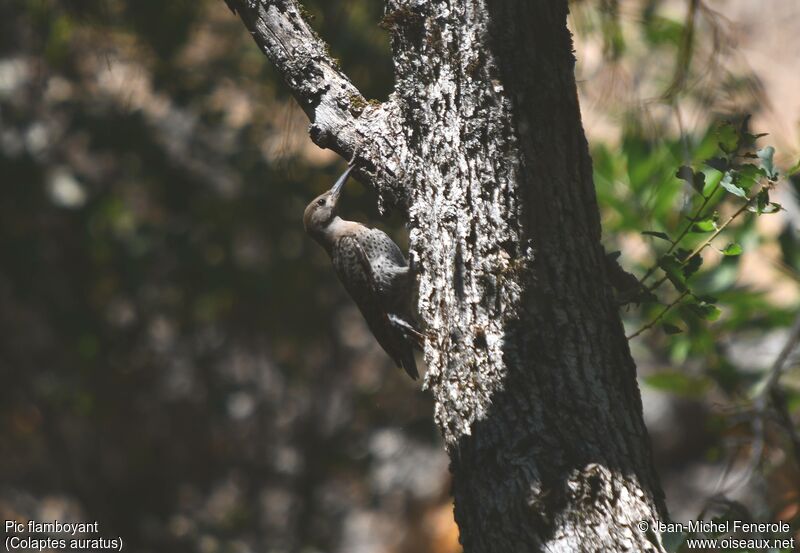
(374, 272)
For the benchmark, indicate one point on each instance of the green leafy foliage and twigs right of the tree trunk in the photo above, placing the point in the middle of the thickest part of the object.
(702, 197)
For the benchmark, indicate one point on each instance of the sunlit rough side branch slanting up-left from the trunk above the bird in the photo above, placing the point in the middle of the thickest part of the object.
(369, 134)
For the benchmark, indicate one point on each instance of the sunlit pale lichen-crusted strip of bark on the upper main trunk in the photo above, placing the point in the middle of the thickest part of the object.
(464, 195)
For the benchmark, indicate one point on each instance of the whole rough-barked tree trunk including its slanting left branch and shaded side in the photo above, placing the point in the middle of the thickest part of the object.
(482, 144)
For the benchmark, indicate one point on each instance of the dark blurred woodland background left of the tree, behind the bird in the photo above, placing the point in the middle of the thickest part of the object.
(178, 360)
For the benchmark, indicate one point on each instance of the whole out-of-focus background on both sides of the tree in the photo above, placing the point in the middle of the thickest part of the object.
(178, 360)
